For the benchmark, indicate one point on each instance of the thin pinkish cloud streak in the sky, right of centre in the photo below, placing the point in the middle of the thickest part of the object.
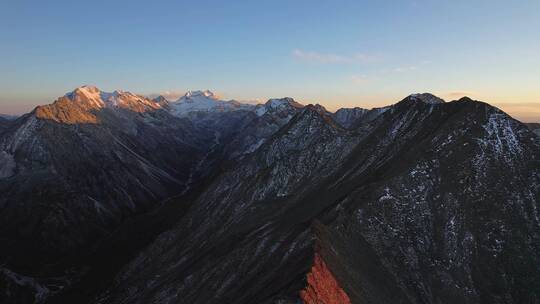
(329, 58)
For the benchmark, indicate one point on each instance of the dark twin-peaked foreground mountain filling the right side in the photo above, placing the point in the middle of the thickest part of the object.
(429, 202)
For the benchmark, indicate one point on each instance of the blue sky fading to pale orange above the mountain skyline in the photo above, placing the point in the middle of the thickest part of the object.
(337, 53)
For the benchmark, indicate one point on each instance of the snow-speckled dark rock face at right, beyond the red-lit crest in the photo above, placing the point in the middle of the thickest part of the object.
(443, 216)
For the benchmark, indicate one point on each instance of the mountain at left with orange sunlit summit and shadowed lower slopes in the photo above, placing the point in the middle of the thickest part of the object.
(72, 171)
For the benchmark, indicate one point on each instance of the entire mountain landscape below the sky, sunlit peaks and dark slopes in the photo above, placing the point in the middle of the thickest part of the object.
(119, 198)
